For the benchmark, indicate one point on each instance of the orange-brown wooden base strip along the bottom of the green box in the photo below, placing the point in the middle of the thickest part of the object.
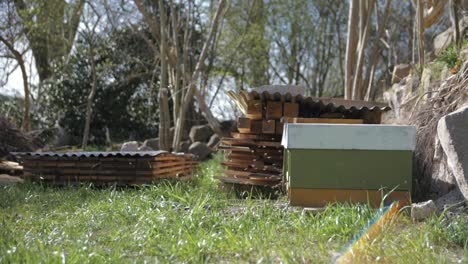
(322, 197)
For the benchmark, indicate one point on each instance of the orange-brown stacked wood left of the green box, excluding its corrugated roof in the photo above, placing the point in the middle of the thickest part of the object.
(254, 155)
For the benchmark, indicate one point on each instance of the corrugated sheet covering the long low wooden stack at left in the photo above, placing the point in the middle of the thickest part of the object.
(138, 154)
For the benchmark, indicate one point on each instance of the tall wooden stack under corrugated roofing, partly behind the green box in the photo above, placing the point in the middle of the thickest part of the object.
(254, 155)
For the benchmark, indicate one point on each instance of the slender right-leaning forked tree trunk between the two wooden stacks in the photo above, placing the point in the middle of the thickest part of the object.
(192, 89)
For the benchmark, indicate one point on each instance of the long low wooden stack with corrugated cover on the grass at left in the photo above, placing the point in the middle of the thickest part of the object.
(106, 167)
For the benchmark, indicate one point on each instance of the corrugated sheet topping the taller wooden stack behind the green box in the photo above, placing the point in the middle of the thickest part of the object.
(322, 102)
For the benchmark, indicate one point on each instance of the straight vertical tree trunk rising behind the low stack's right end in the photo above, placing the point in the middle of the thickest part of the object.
(164, 116)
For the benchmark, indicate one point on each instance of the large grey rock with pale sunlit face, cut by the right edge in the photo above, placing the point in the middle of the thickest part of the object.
(452, 131)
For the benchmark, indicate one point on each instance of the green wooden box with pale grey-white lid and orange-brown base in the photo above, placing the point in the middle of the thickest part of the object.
(326, 163)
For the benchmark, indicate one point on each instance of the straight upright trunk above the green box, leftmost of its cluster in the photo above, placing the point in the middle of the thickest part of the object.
(351, 47)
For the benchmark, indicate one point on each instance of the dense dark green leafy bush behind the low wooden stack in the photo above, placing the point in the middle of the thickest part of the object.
(124, 101)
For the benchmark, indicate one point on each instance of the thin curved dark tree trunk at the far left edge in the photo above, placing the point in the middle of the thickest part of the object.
(26, 123)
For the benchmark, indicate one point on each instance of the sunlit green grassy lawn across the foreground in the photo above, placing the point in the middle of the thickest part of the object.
(196, 222)
